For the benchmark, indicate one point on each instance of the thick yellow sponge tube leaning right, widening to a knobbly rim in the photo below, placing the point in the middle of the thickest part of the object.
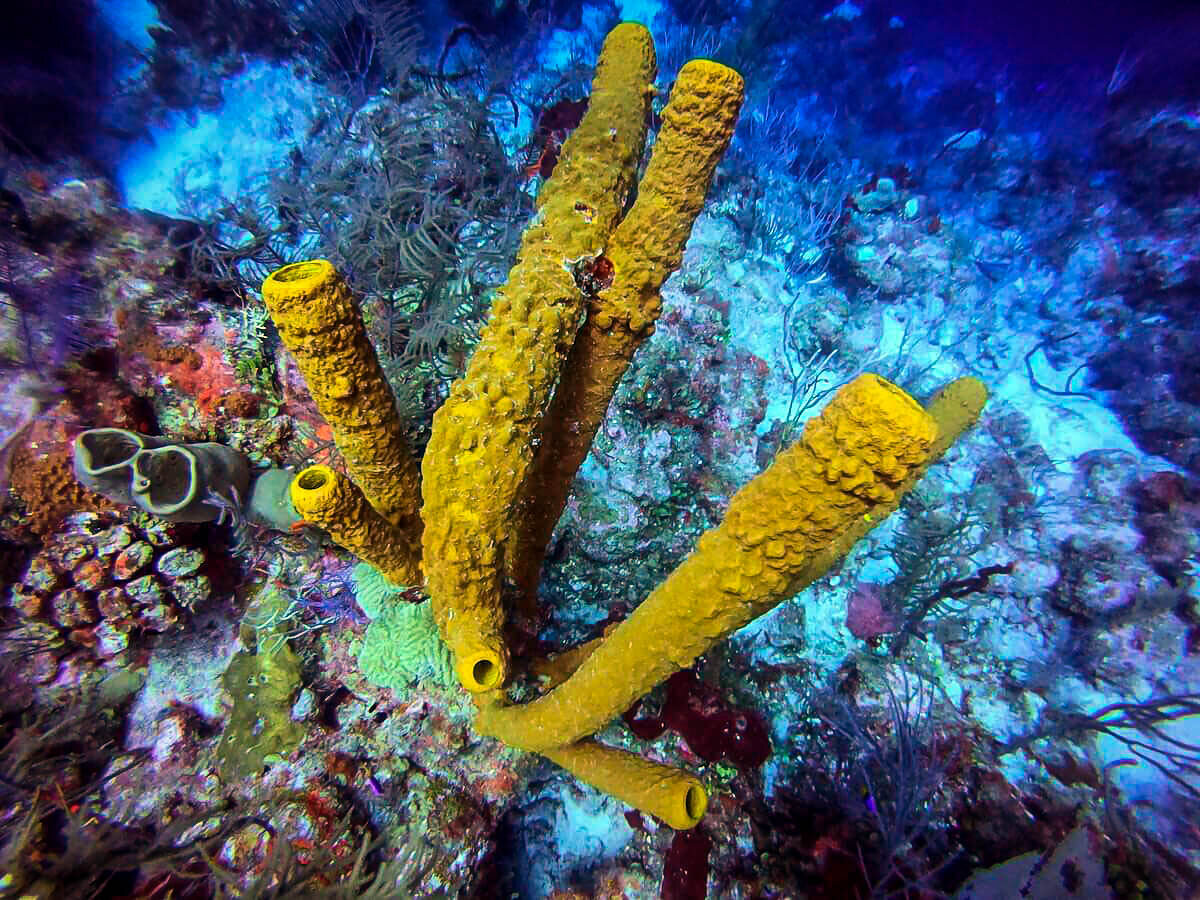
(848, 467)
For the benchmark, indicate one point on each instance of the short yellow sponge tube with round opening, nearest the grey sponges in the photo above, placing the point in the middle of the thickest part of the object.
(332, 501)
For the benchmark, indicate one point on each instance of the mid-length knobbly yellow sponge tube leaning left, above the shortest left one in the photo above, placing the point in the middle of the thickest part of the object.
(319, 322)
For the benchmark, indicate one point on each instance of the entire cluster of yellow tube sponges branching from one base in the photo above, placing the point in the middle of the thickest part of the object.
(491, 496)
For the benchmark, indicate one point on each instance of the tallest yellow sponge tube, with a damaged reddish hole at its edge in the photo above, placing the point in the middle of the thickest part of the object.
(483, 436)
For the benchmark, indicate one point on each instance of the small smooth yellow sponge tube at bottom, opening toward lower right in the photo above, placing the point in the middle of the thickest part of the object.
(665, 793)
